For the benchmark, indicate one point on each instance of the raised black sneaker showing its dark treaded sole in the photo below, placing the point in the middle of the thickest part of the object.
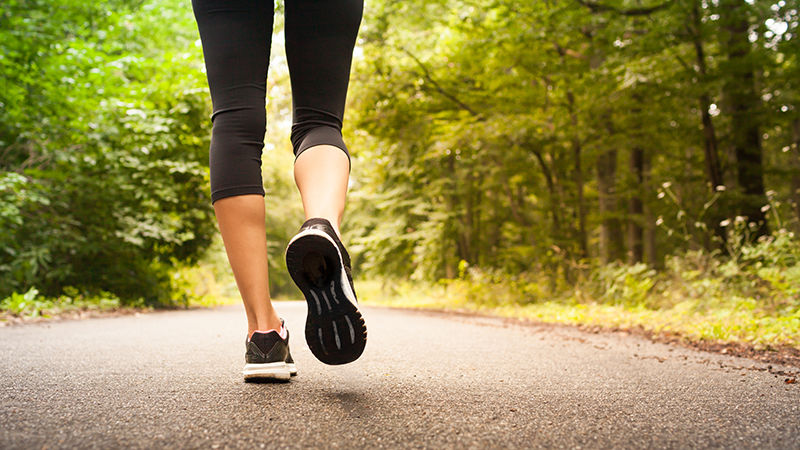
(320, 266)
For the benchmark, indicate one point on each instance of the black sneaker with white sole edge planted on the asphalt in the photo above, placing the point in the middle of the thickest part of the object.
(267, 357)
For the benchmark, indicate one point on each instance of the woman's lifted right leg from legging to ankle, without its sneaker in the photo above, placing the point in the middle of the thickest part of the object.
(320, 36)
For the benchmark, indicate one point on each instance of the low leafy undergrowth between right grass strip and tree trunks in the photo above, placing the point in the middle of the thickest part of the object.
(765, 276)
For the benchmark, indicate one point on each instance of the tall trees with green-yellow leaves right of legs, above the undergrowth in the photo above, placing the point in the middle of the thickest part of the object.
(521, 137)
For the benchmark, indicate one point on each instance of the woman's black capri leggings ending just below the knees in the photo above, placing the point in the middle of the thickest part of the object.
(236, 37)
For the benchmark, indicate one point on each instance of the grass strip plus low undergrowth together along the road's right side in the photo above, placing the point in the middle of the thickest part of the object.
(752, 299)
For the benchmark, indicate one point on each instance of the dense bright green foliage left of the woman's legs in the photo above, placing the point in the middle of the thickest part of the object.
(103, 132)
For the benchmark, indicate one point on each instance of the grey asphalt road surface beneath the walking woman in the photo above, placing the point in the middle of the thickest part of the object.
(172, 379)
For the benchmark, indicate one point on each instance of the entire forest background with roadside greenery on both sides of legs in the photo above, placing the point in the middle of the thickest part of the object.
(621, 163)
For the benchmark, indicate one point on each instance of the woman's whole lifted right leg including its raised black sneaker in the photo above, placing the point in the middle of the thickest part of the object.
(320, 36)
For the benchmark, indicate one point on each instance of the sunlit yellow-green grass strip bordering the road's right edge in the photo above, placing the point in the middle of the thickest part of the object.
(725, 320)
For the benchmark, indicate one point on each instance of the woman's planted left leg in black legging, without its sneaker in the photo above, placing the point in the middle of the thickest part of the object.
(236, 37)
